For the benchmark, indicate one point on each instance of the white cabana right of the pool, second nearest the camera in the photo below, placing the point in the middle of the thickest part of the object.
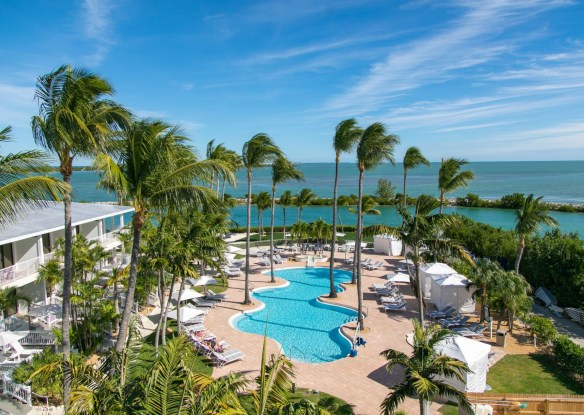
(450, 290)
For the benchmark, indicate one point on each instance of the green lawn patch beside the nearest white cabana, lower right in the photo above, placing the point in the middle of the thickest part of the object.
(534, 373)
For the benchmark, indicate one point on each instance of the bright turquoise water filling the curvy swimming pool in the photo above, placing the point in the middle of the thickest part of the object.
(307, 329)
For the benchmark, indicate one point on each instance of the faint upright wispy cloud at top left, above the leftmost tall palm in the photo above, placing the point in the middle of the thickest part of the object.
(97, 18)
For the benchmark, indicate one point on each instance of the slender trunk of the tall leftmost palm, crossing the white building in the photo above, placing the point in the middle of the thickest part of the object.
(66, 312)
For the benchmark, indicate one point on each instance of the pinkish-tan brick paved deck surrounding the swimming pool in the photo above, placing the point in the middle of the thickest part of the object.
(362, 381)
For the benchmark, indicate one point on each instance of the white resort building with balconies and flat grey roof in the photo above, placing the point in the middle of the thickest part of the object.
(29, 242)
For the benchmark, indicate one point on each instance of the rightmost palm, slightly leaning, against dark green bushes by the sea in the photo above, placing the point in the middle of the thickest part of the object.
(528, 220)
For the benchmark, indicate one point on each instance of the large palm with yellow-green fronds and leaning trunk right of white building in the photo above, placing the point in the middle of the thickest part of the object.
(160, 170)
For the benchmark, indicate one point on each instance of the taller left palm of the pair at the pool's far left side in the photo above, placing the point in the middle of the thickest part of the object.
(259, 151)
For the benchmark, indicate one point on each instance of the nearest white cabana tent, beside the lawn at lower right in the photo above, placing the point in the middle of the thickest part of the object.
(475, 354)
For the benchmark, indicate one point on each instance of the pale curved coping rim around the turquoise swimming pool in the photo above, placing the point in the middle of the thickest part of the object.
(319, 299)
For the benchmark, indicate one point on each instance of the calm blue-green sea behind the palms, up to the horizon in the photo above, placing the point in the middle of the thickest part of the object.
(556, 181)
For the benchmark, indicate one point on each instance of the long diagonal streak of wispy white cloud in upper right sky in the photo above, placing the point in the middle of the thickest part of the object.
(471, 40)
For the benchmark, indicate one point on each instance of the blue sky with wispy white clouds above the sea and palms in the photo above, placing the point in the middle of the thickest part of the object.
(483, 80)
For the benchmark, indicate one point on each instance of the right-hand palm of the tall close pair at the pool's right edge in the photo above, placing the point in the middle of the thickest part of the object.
(375, 145)
